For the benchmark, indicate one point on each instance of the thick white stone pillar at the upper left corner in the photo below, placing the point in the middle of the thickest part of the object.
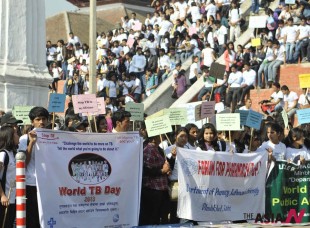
(24, 77)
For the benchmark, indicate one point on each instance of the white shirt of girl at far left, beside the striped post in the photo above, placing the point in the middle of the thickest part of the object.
(10, 174)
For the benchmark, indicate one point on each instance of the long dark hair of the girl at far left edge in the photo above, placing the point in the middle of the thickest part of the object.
(7, 139)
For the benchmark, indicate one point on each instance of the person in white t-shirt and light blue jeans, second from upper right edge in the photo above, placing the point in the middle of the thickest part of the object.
(290, 39)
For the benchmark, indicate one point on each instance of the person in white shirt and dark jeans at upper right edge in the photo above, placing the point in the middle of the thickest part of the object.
(303, 34)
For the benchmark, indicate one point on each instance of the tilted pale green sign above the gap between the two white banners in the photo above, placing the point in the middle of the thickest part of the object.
(158, 125)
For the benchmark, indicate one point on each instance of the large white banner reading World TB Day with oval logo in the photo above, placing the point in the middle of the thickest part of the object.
(88, 180)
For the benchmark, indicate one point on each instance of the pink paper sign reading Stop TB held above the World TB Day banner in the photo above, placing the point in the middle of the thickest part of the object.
(85, 103)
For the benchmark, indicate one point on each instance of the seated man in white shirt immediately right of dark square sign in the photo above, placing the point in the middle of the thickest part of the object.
(234, 83)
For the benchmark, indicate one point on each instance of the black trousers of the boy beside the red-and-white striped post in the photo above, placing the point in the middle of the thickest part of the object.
(32, 211)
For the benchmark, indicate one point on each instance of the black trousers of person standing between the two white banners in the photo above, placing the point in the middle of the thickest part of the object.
(154, 207)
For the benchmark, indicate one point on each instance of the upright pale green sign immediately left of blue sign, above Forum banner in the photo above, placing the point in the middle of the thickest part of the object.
(228, 122)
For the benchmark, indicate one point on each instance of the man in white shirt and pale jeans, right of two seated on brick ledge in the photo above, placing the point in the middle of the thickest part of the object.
(279, 59)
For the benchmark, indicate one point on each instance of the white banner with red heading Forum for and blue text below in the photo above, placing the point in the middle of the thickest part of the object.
(219, 186)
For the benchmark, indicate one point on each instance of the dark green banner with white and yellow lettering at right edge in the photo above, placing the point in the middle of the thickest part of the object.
(287, 193)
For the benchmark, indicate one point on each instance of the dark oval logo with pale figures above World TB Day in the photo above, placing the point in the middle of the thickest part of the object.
(89, 169)
